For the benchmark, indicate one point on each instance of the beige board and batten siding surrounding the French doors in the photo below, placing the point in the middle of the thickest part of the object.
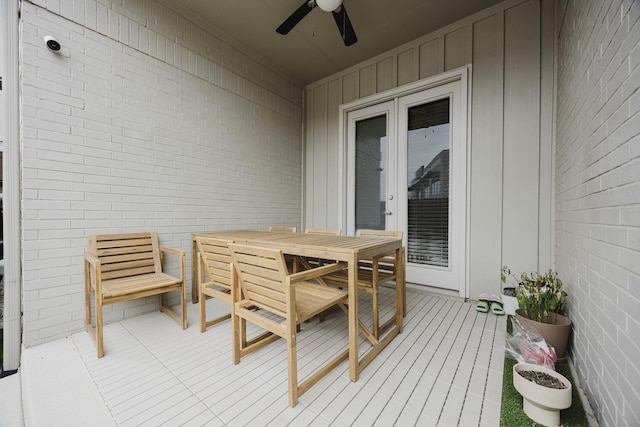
(509, 161)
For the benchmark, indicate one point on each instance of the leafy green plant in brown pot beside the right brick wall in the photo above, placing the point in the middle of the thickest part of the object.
(541, 302)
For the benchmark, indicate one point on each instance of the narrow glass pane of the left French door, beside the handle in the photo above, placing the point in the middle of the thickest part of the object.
(370, 170)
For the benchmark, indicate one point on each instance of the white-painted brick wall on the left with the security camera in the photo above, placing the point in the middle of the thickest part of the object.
(145, 122)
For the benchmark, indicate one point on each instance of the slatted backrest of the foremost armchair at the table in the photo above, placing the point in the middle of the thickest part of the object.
(261, 274)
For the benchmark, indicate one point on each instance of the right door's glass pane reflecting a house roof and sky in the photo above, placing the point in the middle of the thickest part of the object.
(429, 139)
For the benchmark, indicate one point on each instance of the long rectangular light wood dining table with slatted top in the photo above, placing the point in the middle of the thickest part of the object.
(349, 249)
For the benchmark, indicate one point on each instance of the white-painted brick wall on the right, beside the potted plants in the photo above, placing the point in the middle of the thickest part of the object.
(598, 198)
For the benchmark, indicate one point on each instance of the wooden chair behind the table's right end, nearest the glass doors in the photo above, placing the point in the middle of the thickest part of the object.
(372, 274)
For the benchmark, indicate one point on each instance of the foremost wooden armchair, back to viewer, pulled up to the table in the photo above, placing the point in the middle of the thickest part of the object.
(265, 291)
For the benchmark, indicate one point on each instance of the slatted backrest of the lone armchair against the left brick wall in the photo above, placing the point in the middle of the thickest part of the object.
(126, 255)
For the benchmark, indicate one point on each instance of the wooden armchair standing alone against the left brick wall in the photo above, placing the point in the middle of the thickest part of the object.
(123, 267)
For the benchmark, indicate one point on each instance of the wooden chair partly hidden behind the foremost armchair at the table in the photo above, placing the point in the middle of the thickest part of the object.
(215, 277)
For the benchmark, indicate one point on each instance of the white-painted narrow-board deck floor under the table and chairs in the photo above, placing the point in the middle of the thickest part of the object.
(445, 369)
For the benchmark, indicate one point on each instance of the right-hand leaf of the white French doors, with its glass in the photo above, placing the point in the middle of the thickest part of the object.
(432, 176)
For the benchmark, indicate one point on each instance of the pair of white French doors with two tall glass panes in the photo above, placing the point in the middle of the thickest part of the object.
(406, 170)
